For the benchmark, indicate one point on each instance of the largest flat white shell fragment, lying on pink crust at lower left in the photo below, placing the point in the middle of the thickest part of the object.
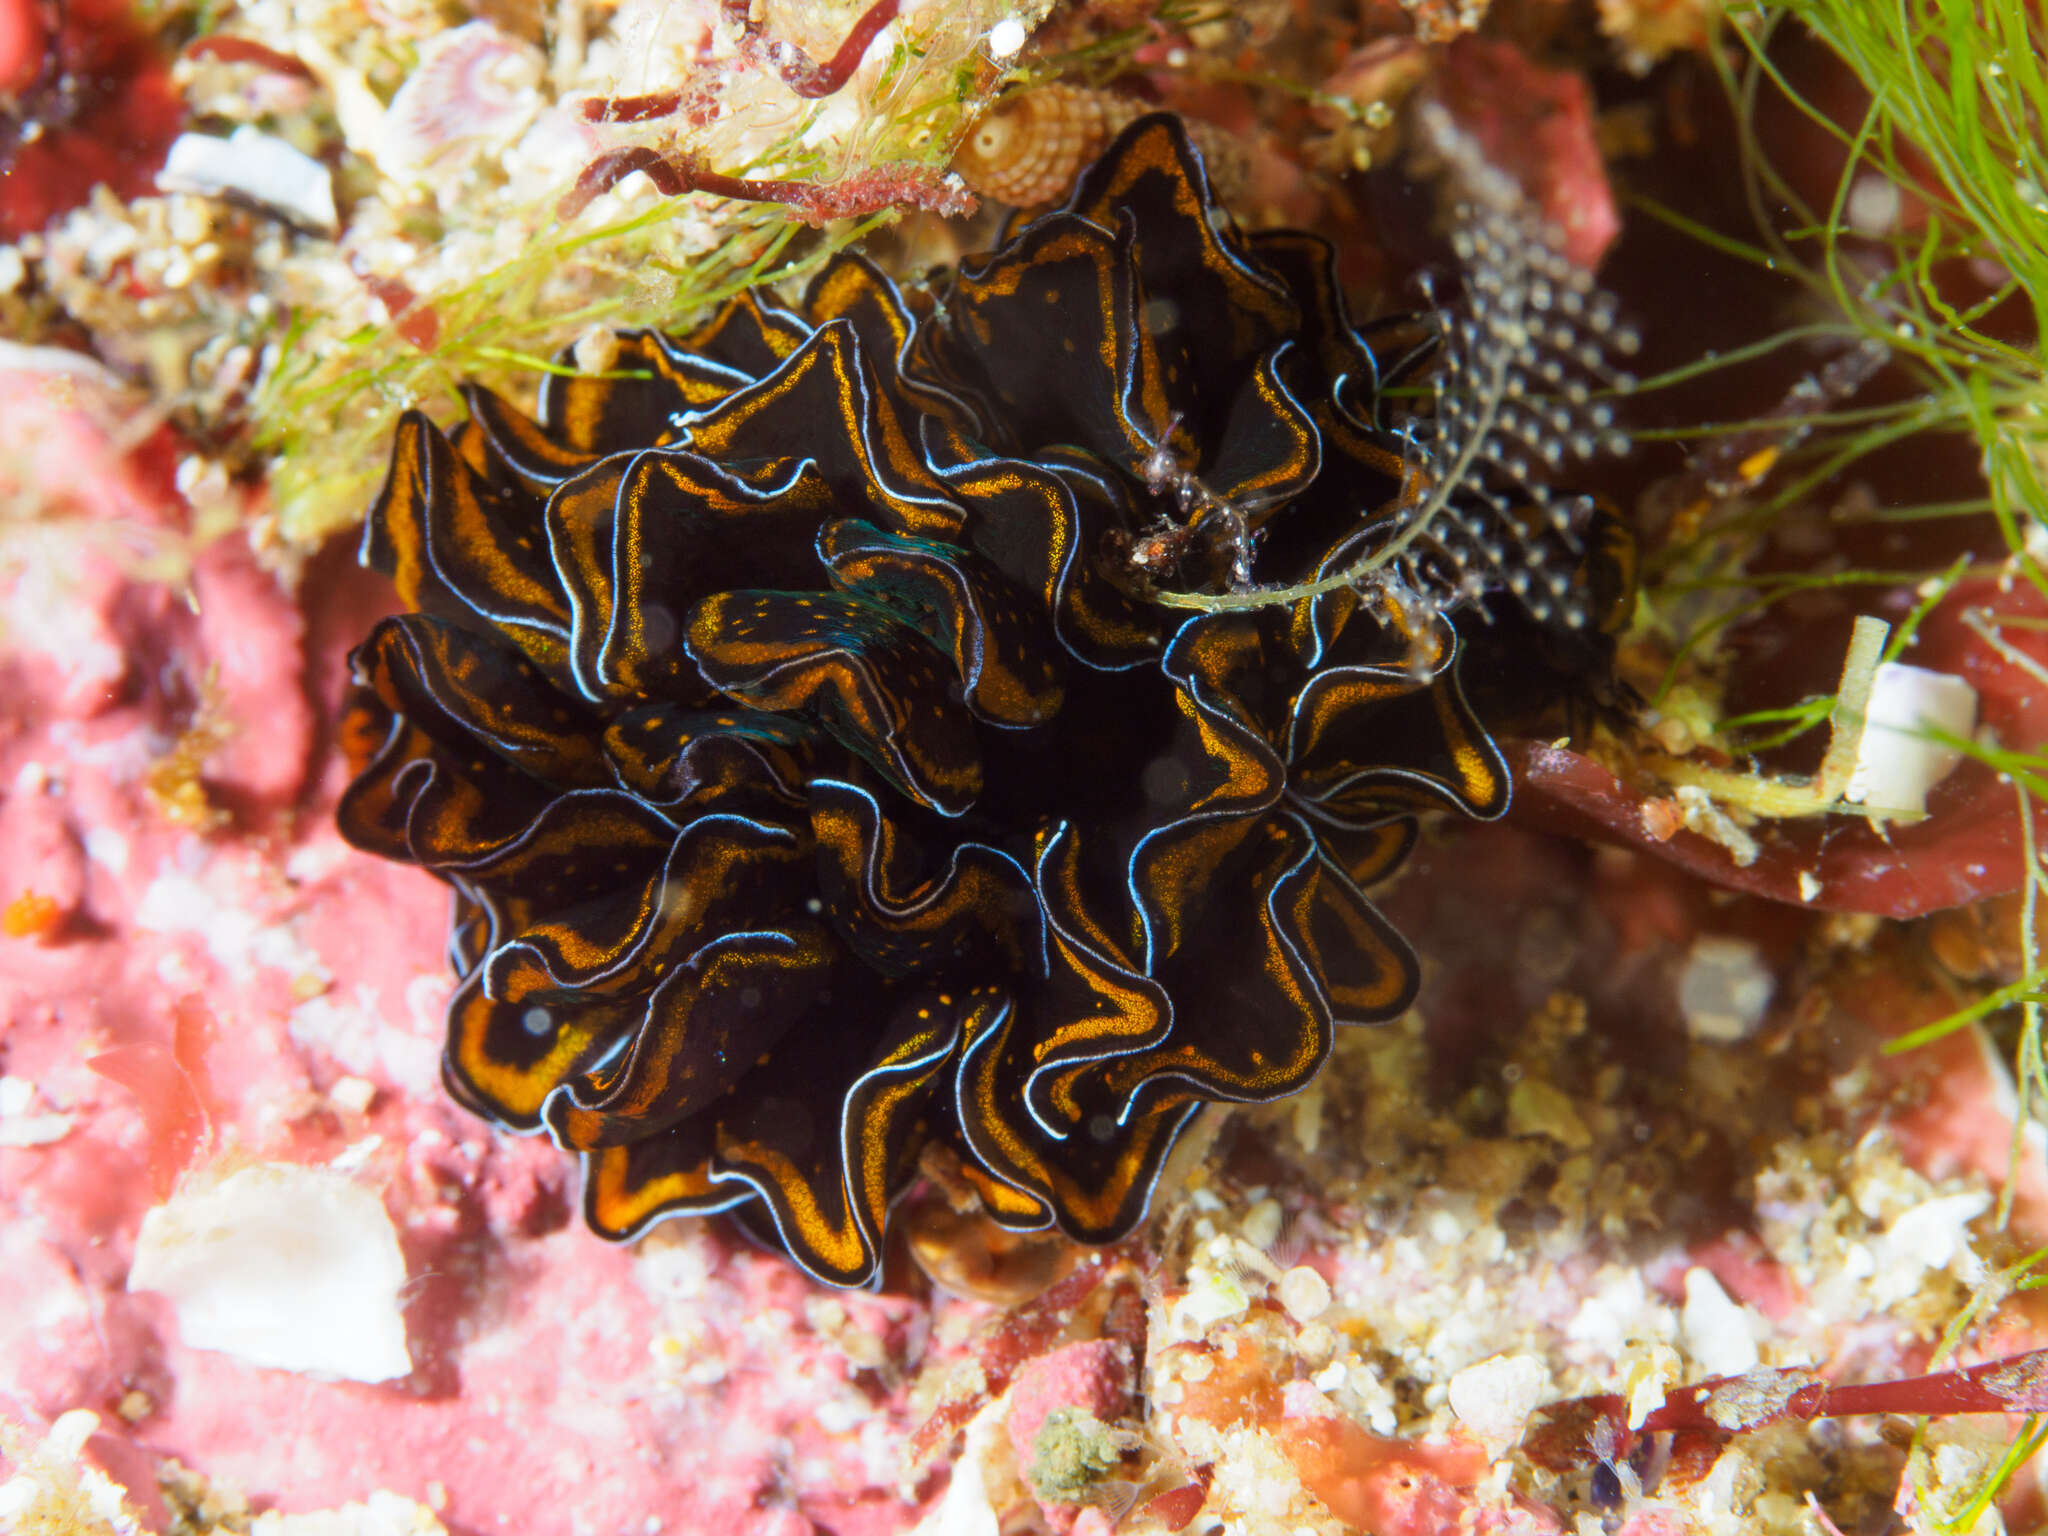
(282, 1267)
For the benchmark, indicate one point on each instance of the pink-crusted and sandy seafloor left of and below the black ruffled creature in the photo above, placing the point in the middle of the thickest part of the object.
(1635, 1134)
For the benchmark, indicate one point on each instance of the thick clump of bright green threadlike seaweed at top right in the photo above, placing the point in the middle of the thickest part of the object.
(1926, 259)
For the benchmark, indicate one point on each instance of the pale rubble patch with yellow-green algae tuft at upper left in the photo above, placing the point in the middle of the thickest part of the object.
(445, 153)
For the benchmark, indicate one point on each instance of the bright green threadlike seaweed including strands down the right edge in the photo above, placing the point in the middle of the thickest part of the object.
(1928, 257)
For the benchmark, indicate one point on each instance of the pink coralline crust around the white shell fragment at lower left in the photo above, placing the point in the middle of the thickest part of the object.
(210, 1000)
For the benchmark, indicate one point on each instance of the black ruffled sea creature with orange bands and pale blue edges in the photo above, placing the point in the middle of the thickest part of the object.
(814, 783)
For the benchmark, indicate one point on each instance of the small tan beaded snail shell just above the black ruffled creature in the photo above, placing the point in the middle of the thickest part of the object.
(1029, 148)
